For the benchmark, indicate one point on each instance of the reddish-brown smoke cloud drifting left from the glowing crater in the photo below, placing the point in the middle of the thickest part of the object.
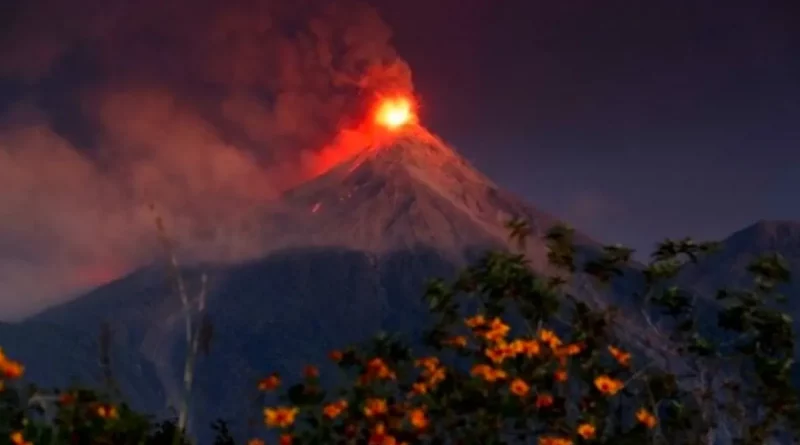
(204, 110)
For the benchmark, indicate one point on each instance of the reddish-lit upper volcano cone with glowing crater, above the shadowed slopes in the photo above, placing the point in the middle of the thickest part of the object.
(403, 188)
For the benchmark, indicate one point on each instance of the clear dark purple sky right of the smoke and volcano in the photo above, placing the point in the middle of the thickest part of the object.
(634, 120)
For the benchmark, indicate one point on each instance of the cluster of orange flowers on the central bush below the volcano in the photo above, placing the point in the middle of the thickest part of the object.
(503, 364)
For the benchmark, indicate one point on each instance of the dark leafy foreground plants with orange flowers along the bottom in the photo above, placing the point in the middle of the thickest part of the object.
(510, 357)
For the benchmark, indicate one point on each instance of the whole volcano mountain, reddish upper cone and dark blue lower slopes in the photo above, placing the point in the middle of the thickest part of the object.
(350, 253)
